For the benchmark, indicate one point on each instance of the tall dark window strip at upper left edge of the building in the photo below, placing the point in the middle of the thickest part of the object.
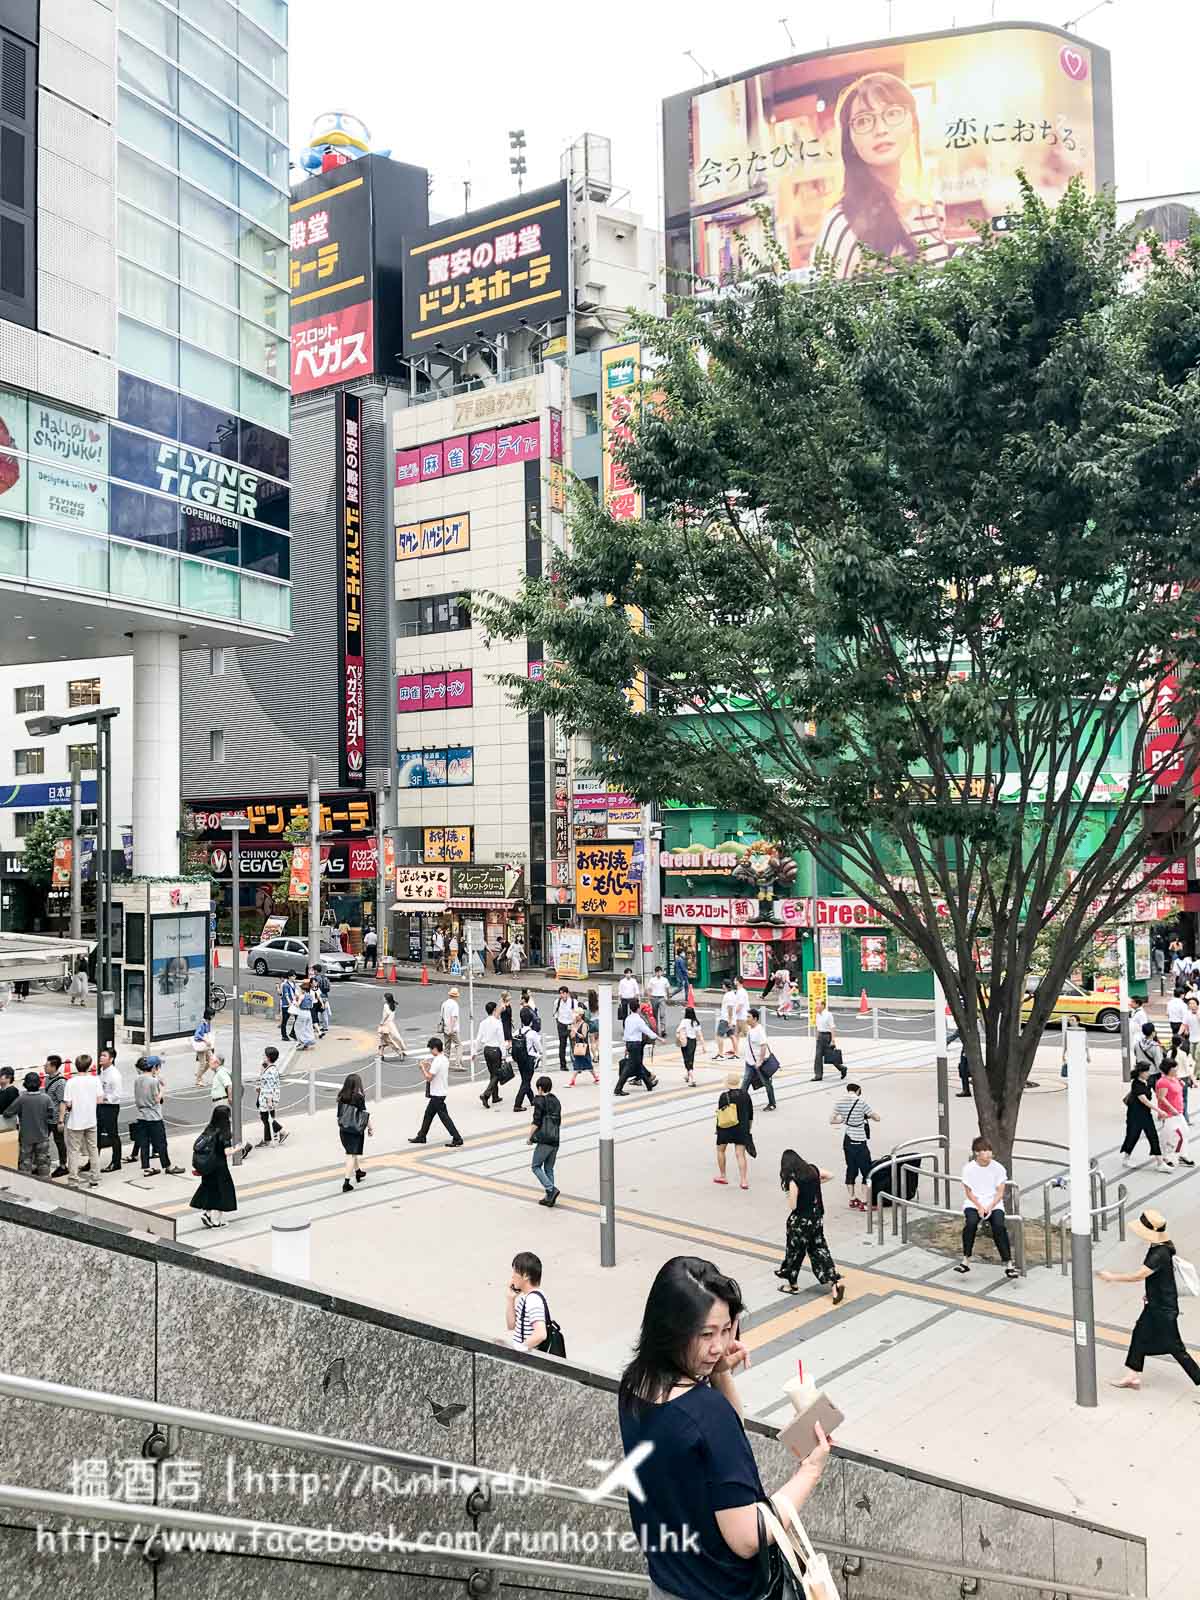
(18, 186)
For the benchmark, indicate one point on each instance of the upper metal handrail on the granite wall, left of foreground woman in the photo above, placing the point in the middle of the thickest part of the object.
(154, 1412)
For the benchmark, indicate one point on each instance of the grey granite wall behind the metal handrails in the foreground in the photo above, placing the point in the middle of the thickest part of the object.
(98, 1310)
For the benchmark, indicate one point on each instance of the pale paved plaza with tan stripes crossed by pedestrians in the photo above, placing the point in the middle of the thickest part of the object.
(958, 1377)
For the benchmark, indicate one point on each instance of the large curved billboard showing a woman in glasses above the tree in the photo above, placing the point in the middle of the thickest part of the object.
(886, 150)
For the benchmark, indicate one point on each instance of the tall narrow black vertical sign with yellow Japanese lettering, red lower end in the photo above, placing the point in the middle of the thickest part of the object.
(353, 738)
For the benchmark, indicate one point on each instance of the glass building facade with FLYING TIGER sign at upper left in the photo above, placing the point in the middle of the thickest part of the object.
(190, 479)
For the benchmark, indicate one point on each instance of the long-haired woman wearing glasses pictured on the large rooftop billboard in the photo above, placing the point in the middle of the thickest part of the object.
(886, 207)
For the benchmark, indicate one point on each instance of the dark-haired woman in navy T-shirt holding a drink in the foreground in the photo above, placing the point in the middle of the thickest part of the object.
(698, 1519)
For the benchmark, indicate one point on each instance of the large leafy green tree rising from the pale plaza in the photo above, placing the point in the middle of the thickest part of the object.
(921, 550)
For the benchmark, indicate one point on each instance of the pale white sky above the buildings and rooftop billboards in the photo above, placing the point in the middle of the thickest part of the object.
(442, 87)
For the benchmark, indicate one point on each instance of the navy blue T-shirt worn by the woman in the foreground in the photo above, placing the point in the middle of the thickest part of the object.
(702, 1465)
